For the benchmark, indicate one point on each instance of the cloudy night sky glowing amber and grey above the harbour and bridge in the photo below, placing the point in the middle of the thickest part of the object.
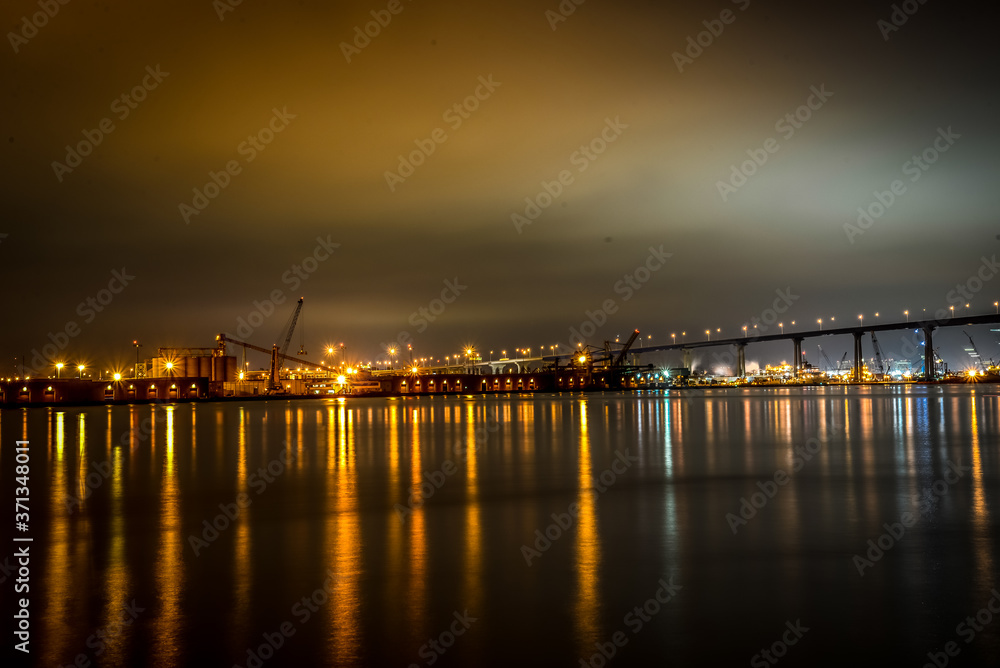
(520, 160)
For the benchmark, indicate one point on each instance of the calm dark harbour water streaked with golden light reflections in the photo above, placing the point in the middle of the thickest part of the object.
(331, 556)
